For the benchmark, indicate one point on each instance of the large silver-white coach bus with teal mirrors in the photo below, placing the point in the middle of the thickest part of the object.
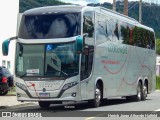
(81, 53)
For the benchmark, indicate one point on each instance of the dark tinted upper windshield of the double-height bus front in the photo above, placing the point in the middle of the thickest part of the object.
(48, 26)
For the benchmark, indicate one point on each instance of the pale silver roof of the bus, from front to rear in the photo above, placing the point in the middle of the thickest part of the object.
(79, 8)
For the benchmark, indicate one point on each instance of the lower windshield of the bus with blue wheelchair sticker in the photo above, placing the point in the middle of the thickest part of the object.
(53, 60)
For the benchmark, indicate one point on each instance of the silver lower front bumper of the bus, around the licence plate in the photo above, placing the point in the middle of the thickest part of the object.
(57, 95)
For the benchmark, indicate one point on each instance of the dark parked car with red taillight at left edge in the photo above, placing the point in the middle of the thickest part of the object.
(6, 80)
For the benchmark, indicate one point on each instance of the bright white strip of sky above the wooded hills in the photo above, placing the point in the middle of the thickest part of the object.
(84, 2)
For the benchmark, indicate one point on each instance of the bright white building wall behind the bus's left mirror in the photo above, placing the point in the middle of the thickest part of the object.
(8, 23)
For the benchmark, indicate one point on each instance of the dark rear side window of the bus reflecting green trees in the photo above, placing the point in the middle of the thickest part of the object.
(136, 36)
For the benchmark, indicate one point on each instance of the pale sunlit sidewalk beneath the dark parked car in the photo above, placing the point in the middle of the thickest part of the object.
(11, 101)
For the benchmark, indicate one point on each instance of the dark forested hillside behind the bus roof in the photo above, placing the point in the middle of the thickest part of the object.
(150, 16)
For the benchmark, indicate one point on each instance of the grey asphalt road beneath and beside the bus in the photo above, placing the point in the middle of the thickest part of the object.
(111, 108)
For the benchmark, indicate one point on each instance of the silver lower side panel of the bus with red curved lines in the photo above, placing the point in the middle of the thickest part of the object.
(121, 66)
